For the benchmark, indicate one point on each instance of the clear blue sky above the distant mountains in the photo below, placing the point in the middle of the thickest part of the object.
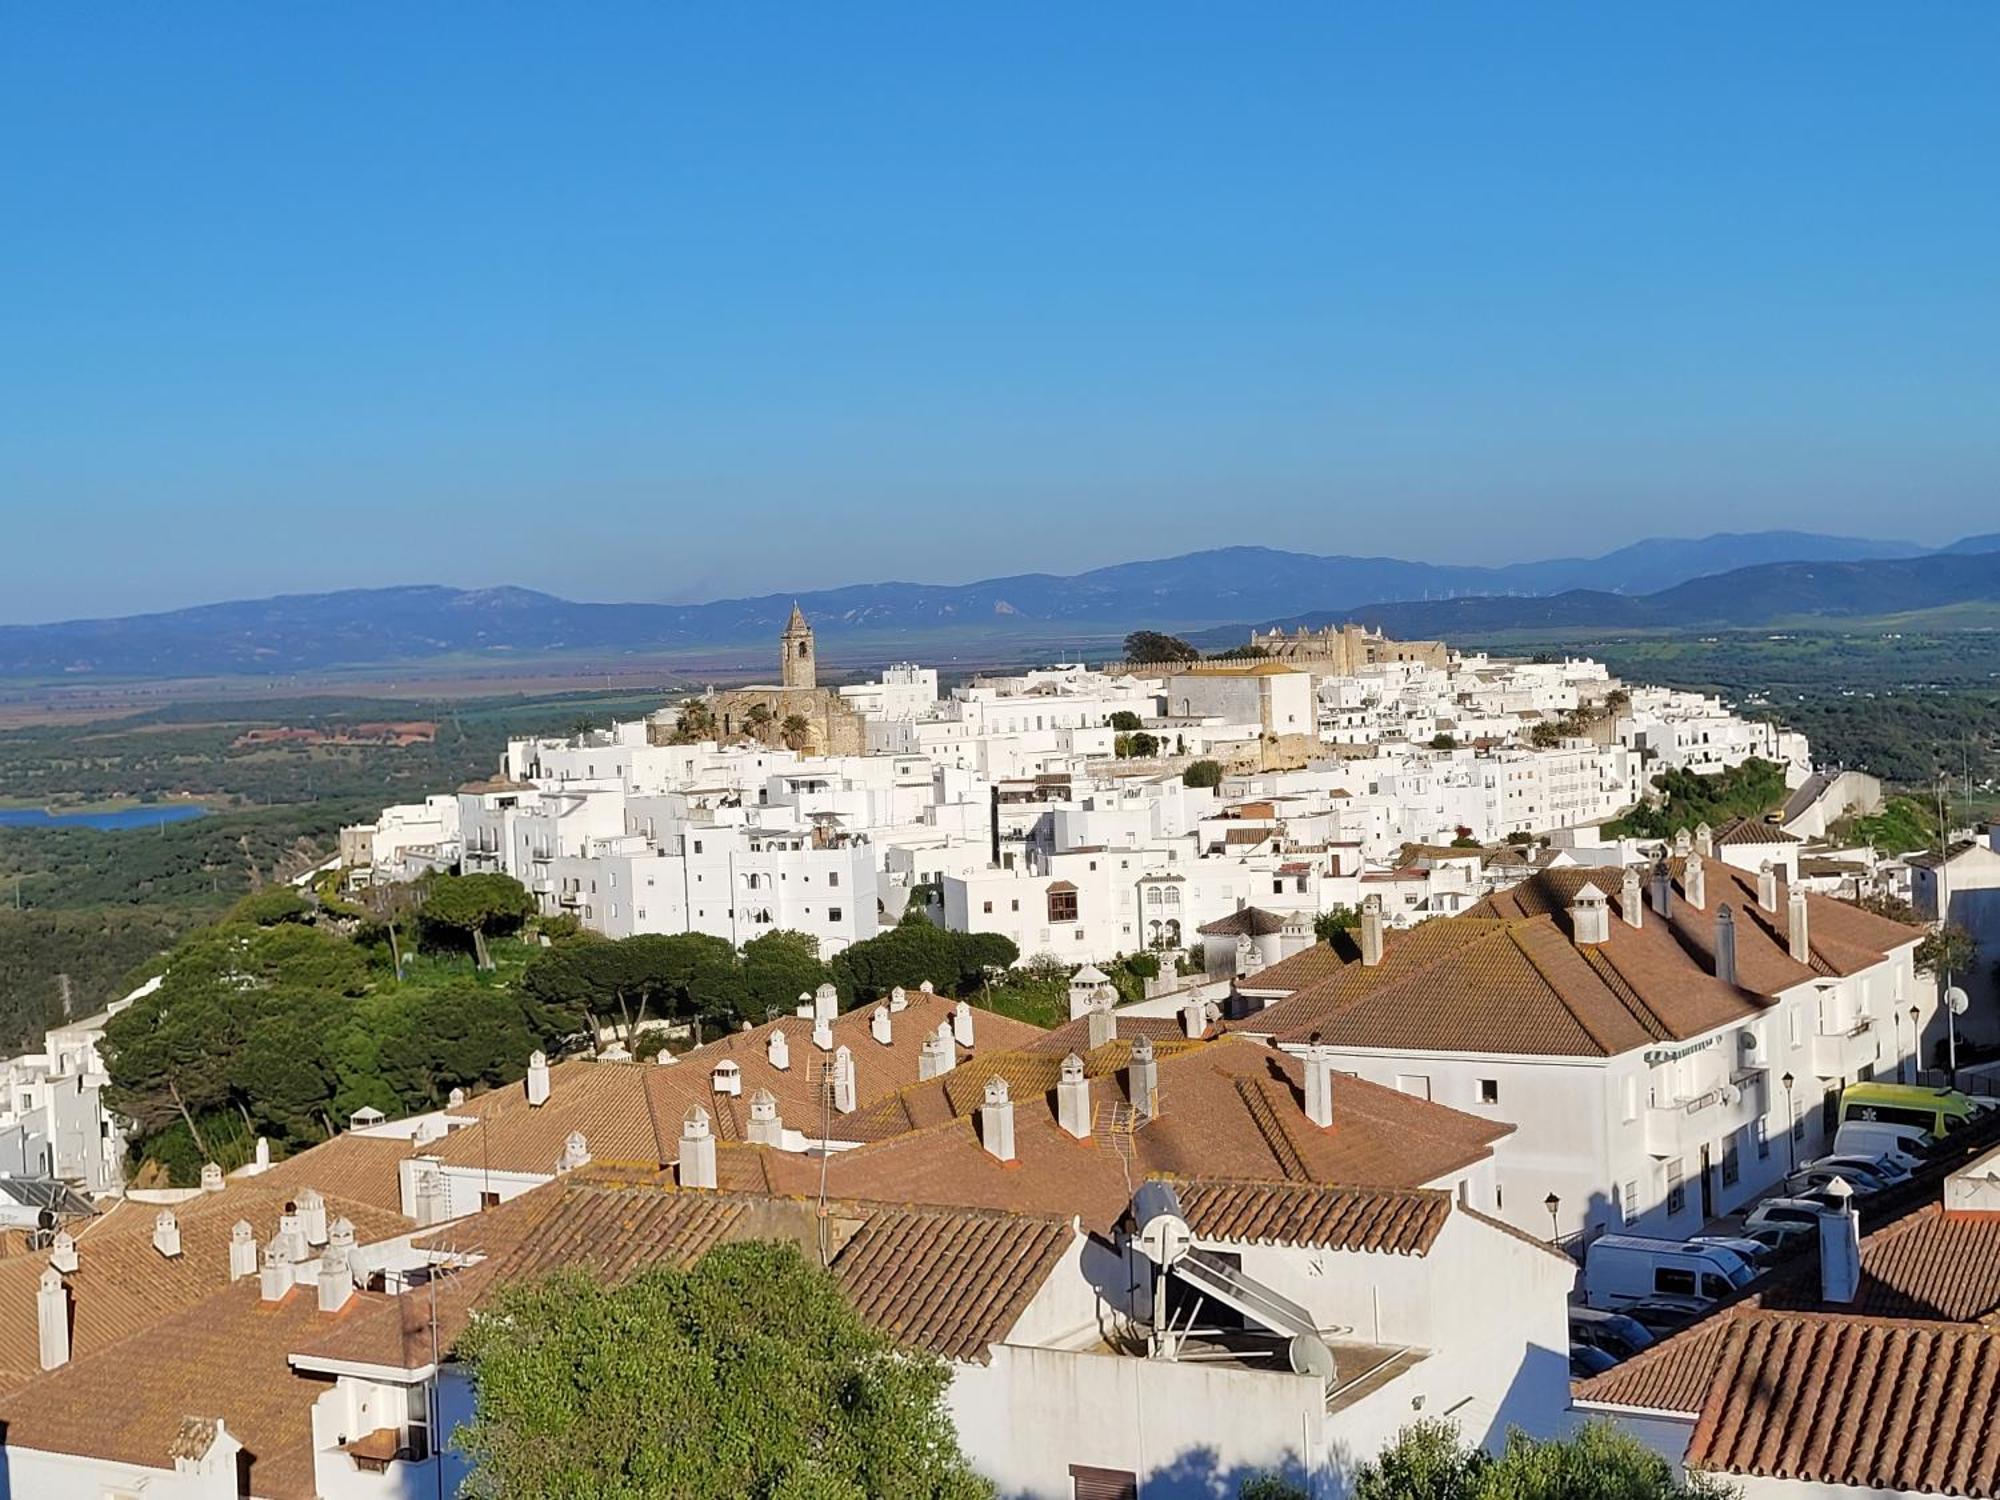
(695, 301)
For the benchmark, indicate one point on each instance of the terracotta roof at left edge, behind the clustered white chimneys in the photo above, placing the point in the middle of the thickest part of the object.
(123, 1285)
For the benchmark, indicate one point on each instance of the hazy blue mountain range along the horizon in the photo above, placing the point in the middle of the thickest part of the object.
(1709, 581)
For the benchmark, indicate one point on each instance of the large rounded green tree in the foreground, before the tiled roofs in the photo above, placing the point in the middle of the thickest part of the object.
(747, 1375)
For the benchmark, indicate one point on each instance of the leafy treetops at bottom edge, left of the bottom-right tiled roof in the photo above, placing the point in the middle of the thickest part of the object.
(1431, 1461)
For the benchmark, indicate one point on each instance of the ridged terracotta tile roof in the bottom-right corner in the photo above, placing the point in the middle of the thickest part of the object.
(1873, 1403)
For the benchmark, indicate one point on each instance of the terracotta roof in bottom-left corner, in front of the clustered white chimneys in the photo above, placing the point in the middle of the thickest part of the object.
(221, 1357)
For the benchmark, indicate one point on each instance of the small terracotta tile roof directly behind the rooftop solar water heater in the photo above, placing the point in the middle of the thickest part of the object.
(1387, 1221)
